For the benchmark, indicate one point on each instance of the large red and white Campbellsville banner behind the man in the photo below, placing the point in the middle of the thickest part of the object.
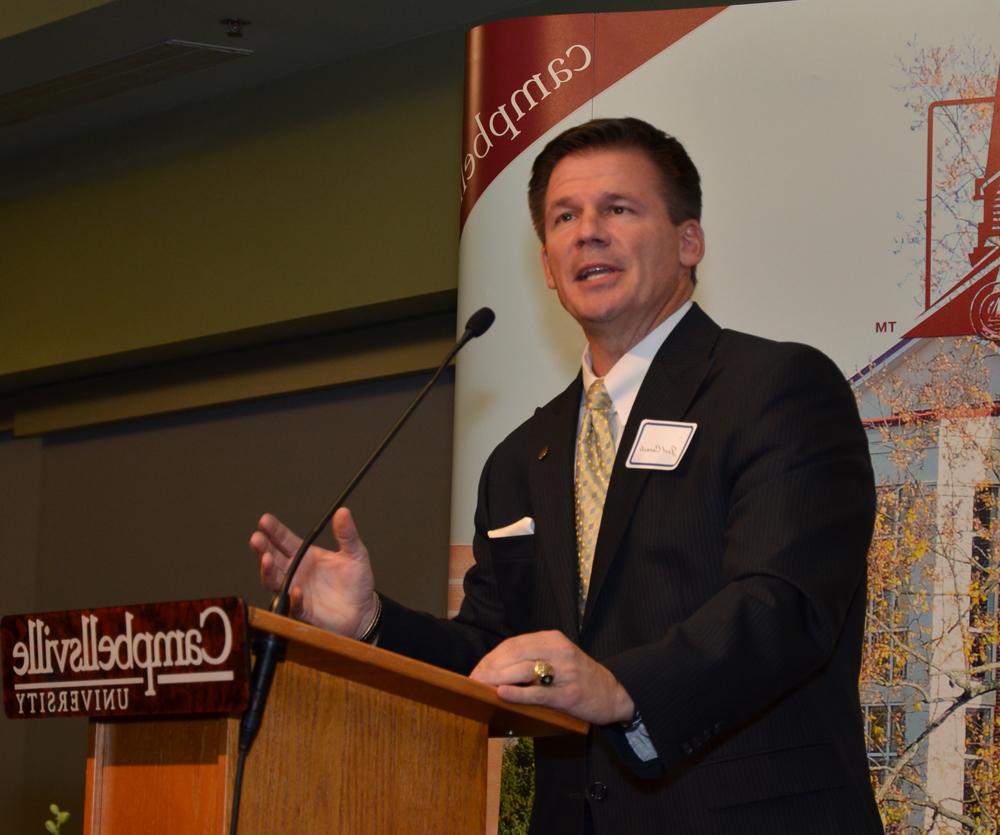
(850, 159)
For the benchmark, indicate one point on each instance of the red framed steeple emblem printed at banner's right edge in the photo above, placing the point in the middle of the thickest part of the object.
(972, 304)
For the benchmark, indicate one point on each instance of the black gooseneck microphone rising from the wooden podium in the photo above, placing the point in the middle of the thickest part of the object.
(273, 646)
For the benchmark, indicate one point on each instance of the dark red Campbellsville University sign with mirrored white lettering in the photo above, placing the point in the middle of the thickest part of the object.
(160, 658)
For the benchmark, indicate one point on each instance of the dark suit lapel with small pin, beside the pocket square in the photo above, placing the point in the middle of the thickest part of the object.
(551, 486)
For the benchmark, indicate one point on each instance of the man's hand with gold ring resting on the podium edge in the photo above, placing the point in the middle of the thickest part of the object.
(580, 687)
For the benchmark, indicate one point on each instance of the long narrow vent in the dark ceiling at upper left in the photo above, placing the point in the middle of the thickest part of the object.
(140, 69)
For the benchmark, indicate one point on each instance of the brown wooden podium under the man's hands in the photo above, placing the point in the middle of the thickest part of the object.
(355, 739)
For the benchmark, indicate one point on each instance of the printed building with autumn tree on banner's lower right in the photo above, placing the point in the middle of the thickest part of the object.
(929, 671)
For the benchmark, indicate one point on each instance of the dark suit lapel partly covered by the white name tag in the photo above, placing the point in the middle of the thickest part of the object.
(667, 392)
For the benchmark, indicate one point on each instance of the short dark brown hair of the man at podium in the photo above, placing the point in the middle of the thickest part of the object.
(680, 180)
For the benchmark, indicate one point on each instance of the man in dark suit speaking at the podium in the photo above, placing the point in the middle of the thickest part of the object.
(672, 549)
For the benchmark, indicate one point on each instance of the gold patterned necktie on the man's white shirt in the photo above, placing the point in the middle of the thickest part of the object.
(595, 453)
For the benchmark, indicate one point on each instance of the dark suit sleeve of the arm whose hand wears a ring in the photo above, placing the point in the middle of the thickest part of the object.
(798, 525)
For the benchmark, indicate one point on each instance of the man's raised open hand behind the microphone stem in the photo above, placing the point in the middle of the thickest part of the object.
(332, 589)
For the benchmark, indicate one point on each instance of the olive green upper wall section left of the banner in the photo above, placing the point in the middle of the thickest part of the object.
(330, 191)
